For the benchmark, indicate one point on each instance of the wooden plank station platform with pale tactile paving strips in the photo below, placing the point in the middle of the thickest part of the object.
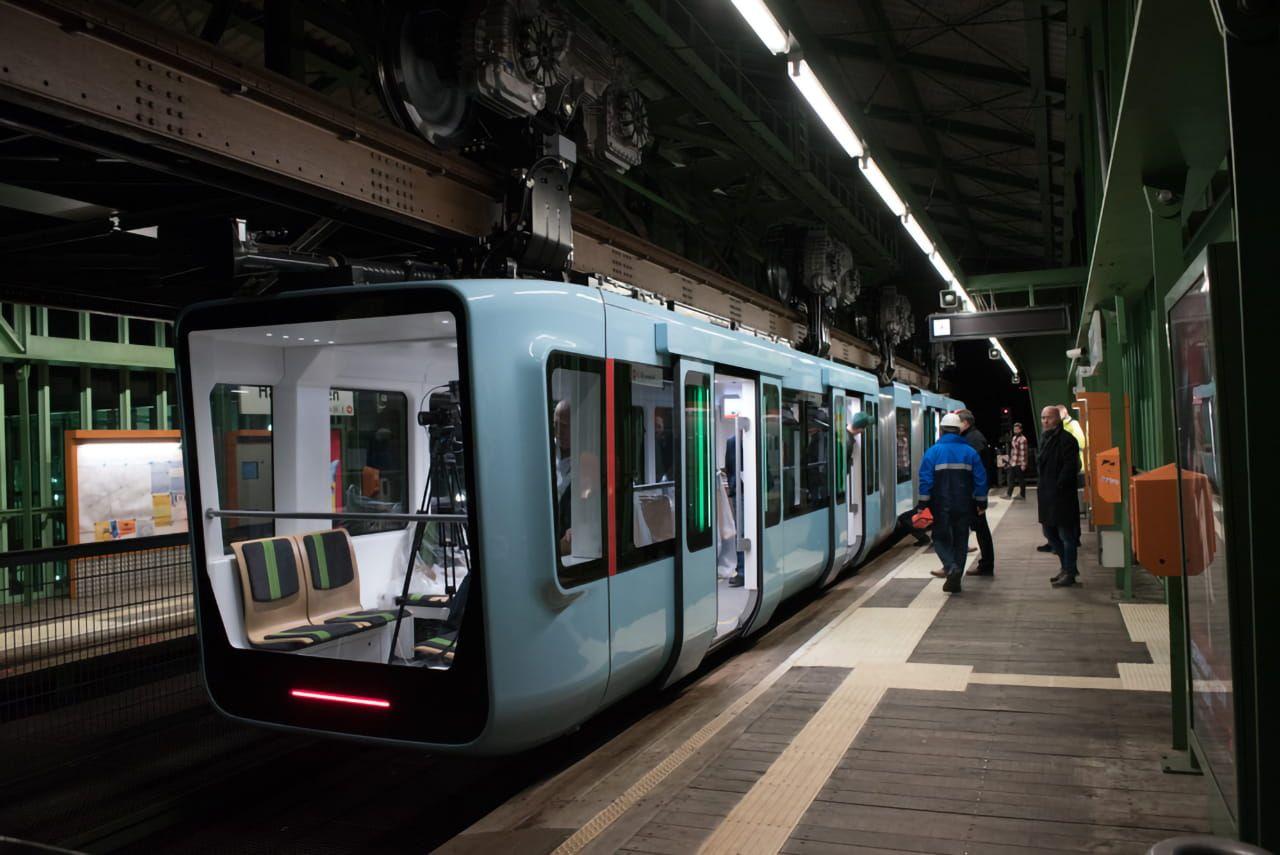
(890, 717)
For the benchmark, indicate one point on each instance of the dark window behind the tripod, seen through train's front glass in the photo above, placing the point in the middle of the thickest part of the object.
(369, 456)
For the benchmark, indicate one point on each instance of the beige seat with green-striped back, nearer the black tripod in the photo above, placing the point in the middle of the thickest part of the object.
(333, 582)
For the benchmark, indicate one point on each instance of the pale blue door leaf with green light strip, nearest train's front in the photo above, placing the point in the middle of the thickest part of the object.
(696, 566)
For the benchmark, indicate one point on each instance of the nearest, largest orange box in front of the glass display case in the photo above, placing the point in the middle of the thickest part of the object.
(1156, 543)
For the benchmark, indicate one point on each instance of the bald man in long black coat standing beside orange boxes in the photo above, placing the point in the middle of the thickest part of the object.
(1059, 465)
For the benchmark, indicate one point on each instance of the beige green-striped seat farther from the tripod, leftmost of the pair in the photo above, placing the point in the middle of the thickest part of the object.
(276, 605)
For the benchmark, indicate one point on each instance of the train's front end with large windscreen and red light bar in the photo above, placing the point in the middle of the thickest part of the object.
(332, 504)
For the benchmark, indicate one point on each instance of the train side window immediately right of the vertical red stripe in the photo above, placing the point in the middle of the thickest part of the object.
(646, 483)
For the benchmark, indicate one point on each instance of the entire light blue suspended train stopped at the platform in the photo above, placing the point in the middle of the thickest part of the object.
(472, 515)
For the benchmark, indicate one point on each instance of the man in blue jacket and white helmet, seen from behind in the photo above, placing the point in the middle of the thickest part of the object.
(954, 487)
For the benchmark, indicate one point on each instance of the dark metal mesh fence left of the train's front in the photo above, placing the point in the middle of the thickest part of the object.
(109, 647)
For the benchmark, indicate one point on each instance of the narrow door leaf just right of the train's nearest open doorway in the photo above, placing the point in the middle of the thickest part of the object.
(771, 547)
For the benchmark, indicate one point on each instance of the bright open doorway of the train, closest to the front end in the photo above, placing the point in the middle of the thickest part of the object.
(737, 488)
